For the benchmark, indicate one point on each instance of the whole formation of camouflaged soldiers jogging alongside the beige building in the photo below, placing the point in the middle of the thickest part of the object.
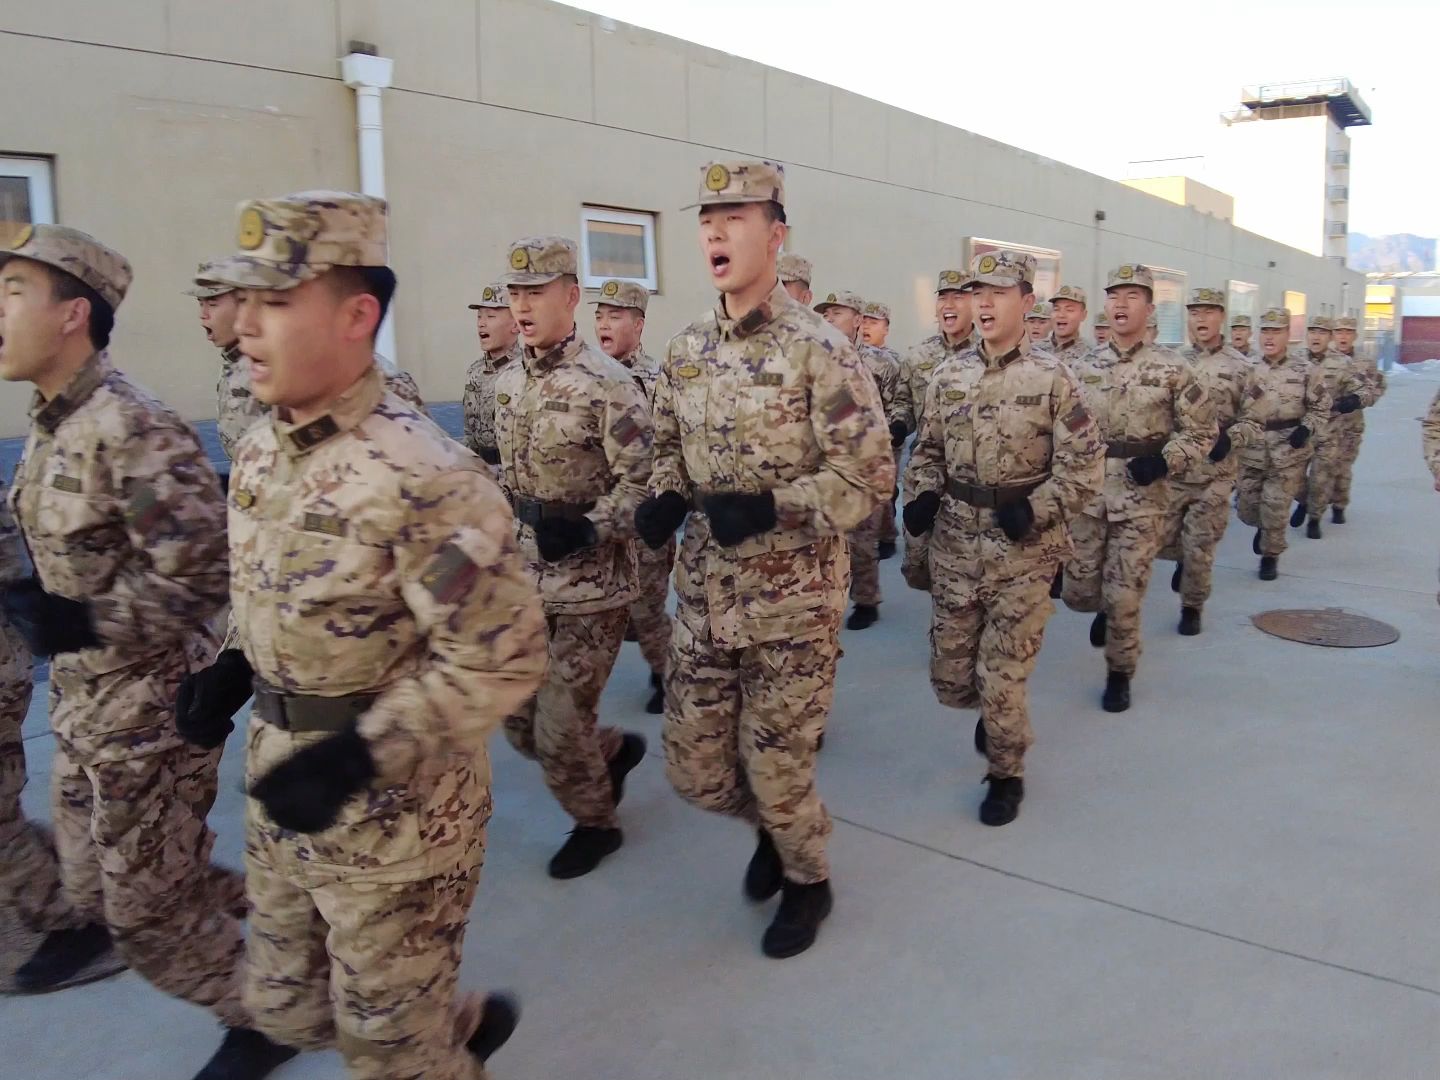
(391, 597)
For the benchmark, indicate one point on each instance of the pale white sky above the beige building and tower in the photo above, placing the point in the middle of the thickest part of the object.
(1101, 86)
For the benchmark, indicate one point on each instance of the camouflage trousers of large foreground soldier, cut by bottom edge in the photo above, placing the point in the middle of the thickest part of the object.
(366, 967)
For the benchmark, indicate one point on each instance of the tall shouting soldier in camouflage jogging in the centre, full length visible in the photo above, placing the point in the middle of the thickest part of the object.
(770, 427)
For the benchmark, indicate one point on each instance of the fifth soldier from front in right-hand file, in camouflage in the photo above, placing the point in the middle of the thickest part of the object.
(1202, 495)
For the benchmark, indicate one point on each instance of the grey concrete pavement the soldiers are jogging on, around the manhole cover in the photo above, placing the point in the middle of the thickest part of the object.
(1236, 879)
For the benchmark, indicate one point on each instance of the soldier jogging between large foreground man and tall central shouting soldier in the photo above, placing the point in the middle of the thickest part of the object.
(575, 451)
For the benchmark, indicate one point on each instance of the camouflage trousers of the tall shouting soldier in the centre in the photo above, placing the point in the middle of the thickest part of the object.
(741, 734)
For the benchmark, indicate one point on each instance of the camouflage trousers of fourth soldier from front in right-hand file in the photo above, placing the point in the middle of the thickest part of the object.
(1110, 572)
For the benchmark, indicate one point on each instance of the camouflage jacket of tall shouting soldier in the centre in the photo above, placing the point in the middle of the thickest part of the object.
(778, 402)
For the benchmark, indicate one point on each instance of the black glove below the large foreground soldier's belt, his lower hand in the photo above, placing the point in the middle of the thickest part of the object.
(305, 793)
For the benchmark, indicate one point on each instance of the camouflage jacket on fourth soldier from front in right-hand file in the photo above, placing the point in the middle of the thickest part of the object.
(1144, 395)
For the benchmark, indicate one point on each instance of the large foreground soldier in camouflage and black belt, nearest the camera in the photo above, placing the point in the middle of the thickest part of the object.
(382, 610)
